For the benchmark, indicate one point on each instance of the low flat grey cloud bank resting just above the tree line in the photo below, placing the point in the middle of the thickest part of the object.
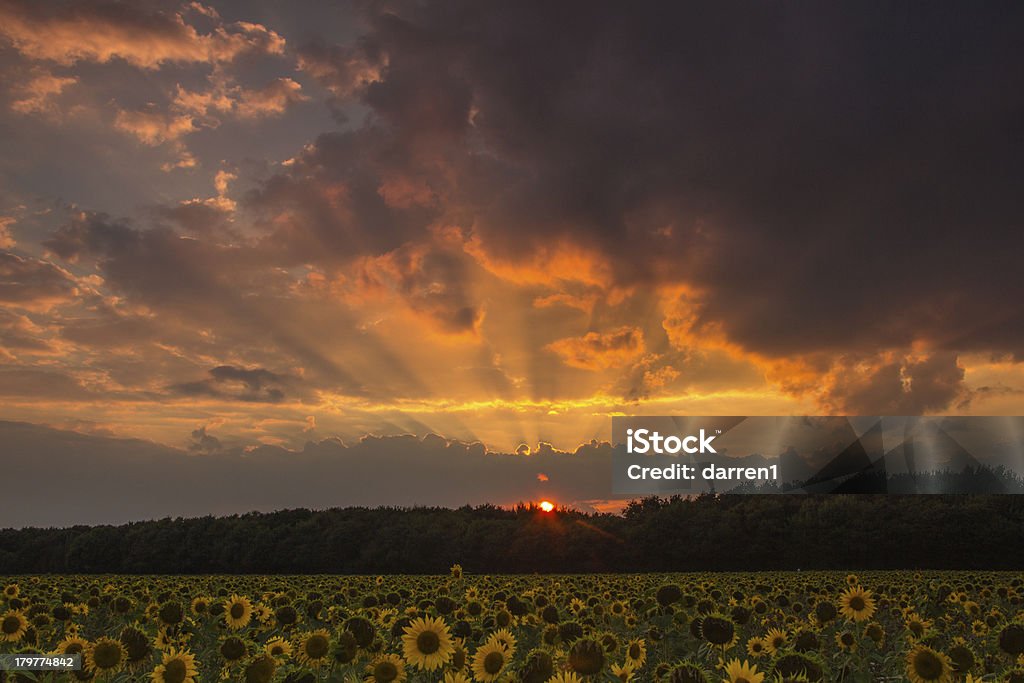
(154, 482)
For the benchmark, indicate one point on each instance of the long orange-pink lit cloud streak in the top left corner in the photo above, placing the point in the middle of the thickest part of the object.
(80, 32)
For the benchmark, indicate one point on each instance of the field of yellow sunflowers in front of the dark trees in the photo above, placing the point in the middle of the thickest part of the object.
(743, 628)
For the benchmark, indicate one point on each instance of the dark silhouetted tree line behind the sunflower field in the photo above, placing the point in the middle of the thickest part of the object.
(707, 533)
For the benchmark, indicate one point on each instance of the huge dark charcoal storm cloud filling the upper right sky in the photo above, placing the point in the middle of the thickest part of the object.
(839, 178)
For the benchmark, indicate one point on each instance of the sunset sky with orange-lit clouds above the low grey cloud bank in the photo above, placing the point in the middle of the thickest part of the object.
(243, 225)
